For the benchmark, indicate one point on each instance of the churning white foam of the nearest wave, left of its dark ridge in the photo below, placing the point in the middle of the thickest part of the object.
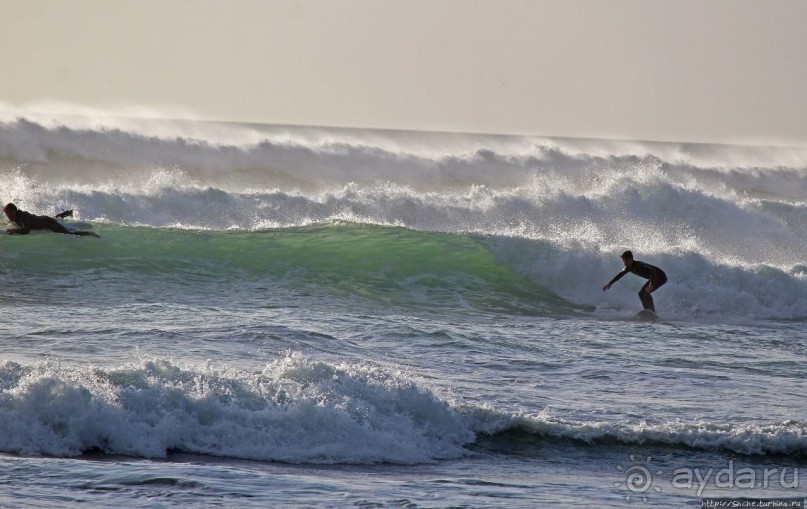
(297, 410)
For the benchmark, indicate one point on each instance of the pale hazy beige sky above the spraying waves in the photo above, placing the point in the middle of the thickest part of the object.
(687, 70)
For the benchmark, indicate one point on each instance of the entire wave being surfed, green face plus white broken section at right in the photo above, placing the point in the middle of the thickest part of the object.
(396, 268)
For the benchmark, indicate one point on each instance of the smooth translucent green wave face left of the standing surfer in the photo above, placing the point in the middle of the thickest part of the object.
(358, 265)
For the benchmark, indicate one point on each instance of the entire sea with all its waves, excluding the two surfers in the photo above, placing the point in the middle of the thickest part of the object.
(309, 317)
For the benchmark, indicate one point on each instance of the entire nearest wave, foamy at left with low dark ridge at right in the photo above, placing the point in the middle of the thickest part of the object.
(302, 410)
